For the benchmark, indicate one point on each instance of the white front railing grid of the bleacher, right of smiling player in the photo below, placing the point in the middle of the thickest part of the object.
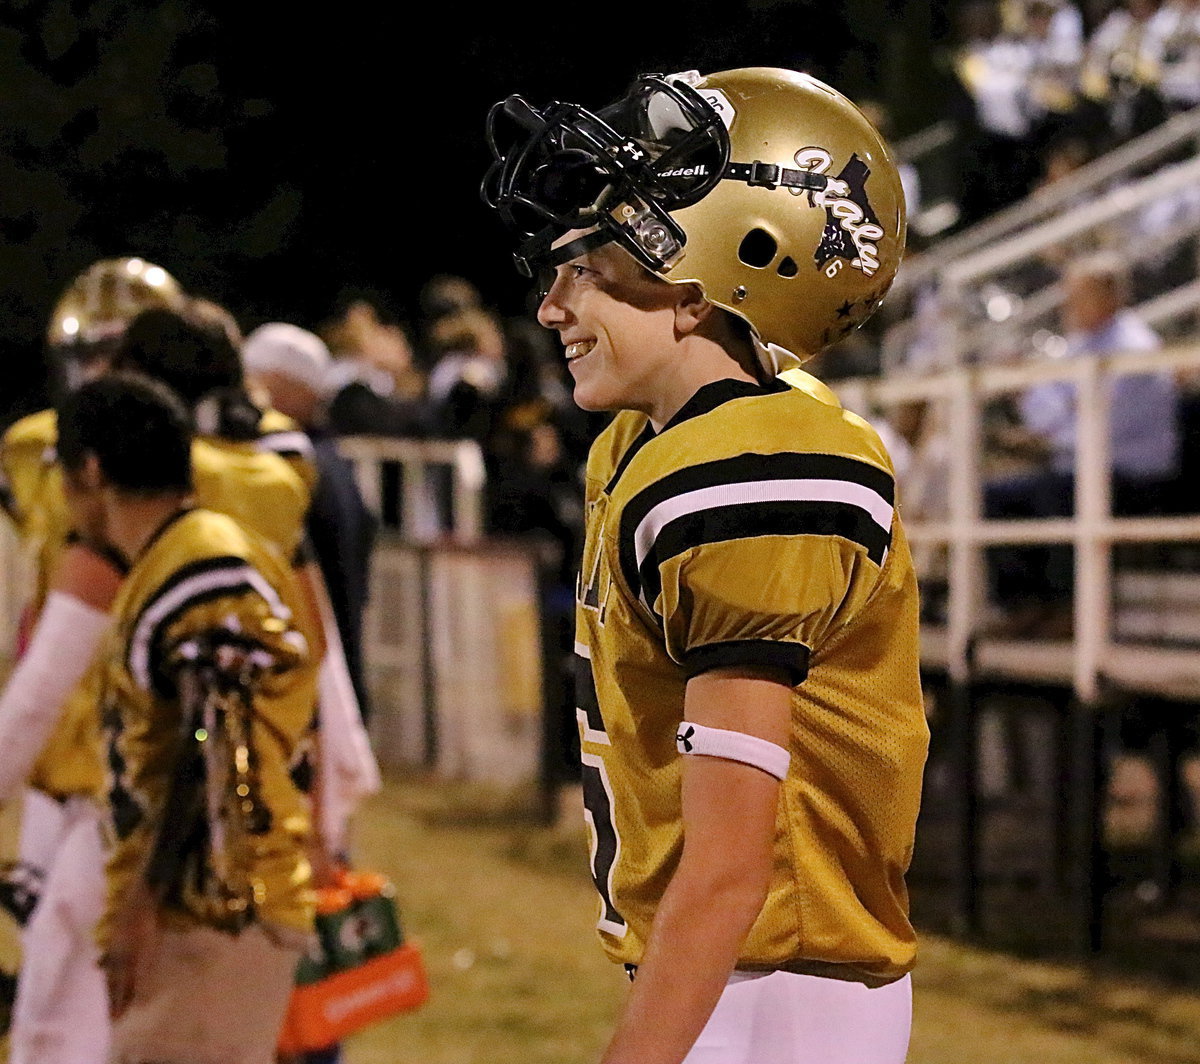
(1094, 531)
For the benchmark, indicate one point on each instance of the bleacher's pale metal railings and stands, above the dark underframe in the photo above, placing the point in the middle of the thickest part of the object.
(987, 328)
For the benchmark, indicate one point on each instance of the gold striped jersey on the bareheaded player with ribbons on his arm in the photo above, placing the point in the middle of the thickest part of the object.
(206, 580)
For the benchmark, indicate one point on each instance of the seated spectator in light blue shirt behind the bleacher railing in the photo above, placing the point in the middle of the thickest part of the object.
(1037, 584)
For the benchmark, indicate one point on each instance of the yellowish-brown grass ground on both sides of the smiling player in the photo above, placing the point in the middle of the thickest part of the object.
(503, 911)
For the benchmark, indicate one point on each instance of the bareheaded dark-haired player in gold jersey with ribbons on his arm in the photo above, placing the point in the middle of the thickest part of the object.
(207, 687)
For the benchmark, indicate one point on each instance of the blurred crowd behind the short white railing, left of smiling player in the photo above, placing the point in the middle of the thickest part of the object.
(463, 371)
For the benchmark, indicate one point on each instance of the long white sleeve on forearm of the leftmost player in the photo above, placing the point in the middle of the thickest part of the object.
(64, 644)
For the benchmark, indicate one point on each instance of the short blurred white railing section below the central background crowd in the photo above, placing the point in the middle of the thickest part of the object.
(422, 512)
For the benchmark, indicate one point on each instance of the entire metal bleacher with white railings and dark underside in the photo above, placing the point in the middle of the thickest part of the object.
(1019, 811)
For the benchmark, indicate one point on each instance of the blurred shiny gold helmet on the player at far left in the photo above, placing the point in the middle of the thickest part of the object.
(104, 299)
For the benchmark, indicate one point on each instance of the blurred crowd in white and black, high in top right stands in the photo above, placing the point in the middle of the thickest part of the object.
(1043, 87)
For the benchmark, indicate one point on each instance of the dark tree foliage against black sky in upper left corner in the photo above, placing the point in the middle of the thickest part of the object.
(116, 136)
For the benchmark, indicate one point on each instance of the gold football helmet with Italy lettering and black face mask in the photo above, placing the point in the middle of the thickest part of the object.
(766, 188)
